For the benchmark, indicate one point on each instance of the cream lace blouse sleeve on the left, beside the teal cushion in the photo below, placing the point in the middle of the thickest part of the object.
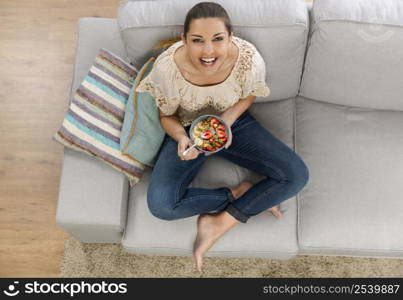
(157, 86)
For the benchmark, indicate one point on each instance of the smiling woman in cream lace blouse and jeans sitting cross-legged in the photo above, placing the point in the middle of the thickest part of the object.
(211, 71)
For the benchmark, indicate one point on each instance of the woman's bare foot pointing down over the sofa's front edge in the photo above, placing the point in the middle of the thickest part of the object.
(210, 227)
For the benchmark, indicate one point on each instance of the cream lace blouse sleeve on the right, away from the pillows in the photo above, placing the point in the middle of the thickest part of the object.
(256, 79)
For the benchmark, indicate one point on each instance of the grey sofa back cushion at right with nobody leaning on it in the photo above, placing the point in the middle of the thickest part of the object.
(355, 54)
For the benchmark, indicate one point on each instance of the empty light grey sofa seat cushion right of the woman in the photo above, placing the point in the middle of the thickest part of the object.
(353, 202)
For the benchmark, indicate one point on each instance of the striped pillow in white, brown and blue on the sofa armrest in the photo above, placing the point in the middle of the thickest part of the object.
(95, 117)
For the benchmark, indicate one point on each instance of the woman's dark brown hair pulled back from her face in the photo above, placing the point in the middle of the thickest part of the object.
(199, 11)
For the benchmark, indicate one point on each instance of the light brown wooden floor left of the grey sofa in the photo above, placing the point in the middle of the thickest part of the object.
(37, 44)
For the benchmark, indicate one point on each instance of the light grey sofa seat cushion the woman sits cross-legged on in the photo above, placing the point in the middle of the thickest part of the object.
(262, 236)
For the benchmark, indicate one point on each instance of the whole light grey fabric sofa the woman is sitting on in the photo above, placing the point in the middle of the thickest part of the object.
(335, 72)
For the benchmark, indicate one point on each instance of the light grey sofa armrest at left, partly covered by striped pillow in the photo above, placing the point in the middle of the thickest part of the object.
(92, 204)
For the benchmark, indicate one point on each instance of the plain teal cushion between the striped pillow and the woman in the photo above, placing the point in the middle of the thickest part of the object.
(142, 134)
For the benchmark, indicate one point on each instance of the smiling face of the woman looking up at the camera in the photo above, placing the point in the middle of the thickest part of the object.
(208, 44)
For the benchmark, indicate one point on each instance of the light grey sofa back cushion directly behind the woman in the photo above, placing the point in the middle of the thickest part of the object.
(278, 29)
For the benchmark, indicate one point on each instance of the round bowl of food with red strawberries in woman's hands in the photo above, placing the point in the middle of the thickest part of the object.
(209, 133)
